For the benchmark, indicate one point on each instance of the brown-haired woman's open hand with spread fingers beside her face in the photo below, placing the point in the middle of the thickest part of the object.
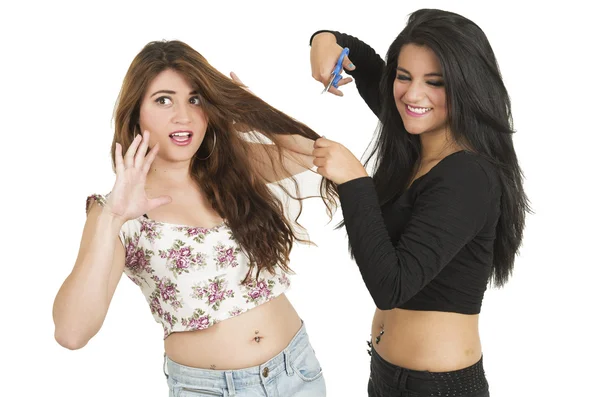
(128, 199)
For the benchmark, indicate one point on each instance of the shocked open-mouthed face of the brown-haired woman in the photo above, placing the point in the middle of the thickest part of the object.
(171, 112)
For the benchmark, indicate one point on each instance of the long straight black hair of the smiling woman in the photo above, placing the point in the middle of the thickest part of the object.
(479, 116)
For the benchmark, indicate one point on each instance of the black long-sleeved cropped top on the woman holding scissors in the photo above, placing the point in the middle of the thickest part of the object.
(432, 247)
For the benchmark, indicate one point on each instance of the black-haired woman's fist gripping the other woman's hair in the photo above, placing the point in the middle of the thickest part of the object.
(335, 162)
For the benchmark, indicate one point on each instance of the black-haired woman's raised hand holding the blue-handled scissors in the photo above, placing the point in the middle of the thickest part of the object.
(324, 54)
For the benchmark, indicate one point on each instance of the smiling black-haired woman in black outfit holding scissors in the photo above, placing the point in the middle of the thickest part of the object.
(444, 212)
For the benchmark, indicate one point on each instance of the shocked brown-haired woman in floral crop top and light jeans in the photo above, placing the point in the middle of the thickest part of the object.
(192, 221)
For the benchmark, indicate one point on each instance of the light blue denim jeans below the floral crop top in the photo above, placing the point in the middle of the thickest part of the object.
(295, 372)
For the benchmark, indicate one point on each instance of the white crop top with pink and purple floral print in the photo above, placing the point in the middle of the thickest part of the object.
(192, 276)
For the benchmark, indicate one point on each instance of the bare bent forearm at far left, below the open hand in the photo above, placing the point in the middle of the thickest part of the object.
(82, 301)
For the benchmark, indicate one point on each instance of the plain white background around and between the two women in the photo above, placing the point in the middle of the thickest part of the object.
(61, 69)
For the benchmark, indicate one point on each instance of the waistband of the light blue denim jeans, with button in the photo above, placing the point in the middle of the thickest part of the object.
(241, 378)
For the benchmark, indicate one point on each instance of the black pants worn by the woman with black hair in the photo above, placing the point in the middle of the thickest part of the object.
(389, 380)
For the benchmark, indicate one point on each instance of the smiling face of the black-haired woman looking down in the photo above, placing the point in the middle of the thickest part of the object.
(419, 91)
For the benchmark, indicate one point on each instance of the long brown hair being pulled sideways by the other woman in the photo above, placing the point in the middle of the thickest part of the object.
(234, 187)
